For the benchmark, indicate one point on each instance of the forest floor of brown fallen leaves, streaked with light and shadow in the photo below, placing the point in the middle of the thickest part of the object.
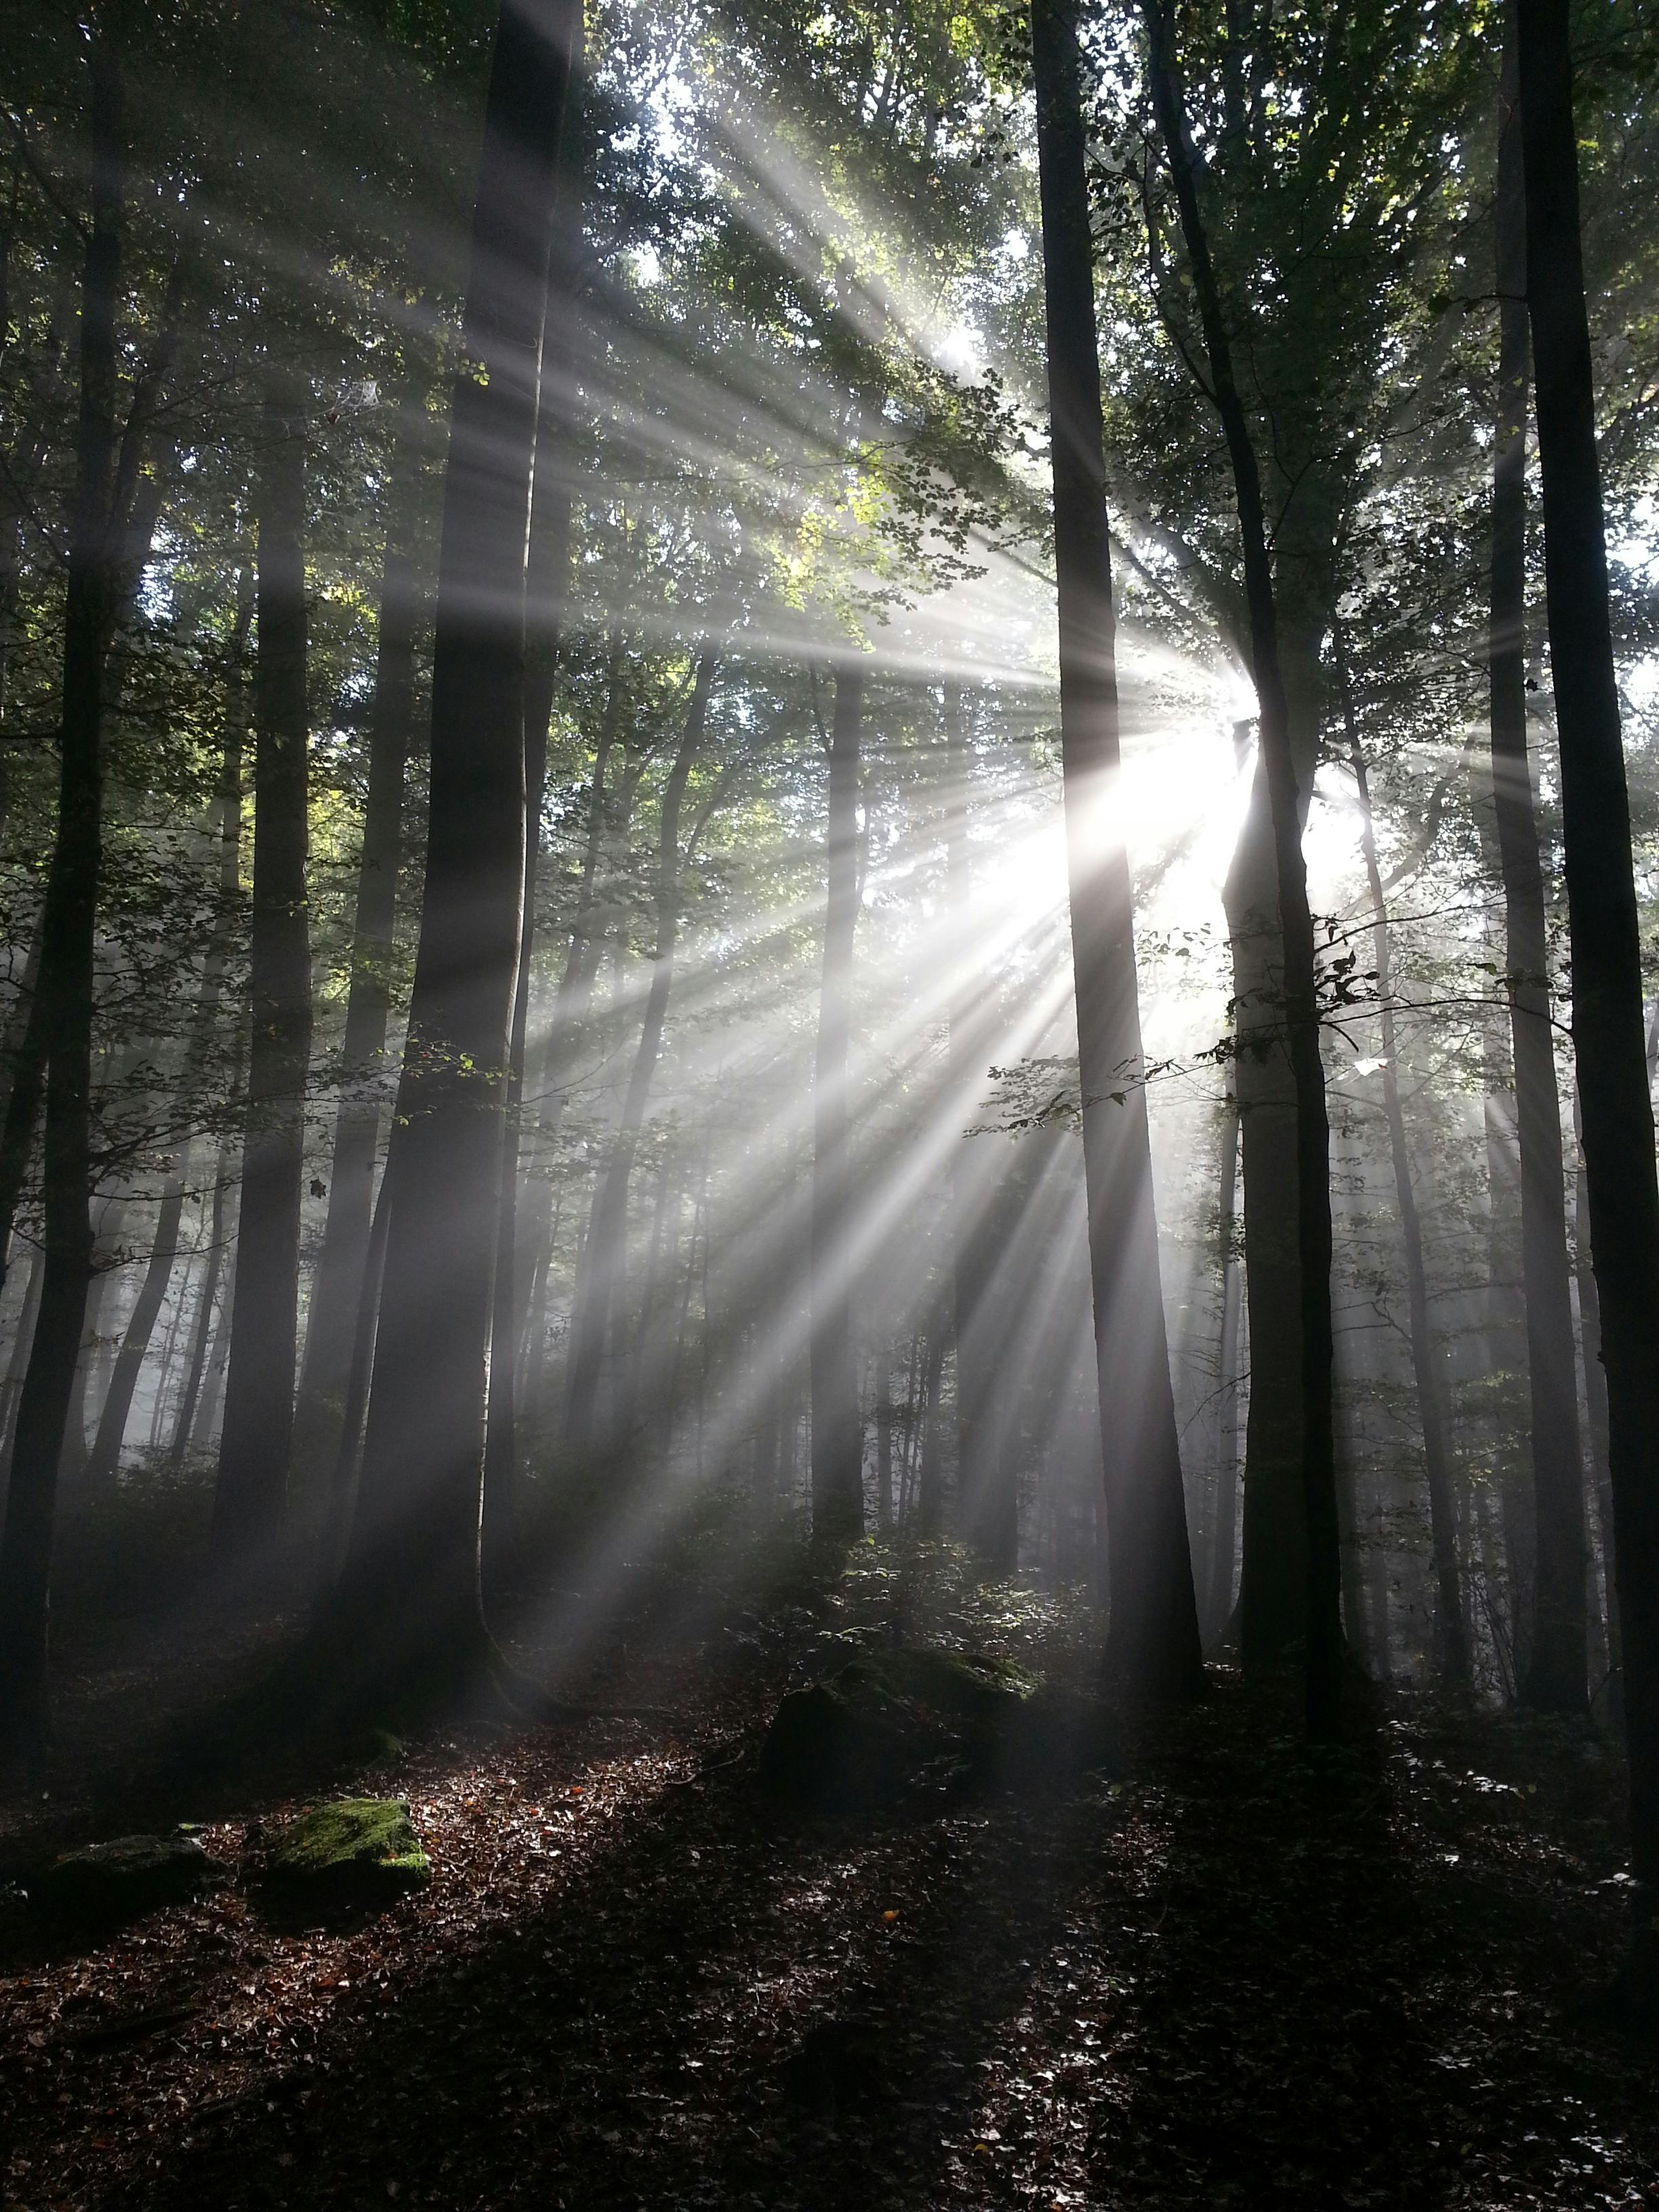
(1222, 1976)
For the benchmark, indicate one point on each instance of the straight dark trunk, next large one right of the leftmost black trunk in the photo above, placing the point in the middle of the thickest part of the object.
(255, 1446)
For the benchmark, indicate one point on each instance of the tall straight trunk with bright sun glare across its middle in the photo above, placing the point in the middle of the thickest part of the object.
(1154, 1634)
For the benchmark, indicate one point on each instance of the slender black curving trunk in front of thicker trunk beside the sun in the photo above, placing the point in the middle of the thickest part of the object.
(1297, 924)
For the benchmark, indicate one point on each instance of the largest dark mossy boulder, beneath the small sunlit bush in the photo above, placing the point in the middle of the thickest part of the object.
(897, 1715)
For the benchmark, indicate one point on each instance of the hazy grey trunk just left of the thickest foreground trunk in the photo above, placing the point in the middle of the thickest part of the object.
(368, 1008)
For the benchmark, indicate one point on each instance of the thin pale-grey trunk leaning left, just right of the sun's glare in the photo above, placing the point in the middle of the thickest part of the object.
(1452, 1631)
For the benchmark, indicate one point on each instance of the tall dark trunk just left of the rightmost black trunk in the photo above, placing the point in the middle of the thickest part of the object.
(1556, 1671)
